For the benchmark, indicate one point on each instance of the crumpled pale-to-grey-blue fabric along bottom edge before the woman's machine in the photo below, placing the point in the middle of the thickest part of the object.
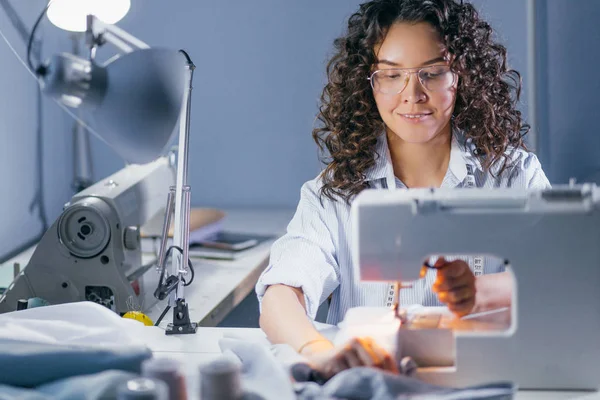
(266, 377)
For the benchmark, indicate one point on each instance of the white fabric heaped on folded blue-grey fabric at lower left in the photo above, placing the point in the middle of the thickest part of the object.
(43, 345)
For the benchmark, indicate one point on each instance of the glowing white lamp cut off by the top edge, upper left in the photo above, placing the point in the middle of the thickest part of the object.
(71, 15)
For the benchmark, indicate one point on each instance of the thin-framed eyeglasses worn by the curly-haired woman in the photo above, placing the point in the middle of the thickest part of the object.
(394, 80)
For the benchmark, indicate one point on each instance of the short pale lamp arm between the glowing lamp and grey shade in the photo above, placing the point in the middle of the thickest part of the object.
(98, 33)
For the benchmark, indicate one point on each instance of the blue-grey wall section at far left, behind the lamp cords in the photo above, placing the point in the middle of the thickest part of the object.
(18, 139)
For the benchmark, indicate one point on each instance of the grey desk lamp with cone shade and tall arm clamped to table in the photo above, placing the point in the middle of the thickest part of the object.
(133, 102)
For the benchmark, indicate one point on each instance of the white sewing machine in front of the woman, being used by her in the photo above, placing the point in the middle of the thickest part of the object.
(550, 337)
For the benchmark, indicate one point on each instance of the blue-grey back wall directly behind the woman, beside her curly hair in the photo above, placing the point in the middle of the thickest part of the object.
(260, 70)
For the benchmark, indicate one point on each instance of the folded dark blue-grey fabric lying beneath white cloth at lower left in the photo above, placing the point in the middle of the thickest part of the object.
(28, 364)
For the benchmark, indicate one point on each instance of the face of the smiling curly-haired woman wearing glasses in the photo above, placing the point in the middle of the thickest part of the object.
(416, 114)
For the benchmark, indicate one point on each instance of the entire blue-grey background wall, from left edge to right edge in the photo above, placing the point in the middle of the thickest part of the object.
(260, 70)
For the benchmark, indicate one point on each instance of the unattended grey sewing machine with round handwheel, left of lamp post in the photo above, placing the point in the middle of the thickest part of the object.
(92, 251)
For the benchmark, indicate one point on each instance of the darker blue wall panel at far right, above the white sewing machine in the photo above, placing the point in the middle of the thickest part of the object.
(571, 55)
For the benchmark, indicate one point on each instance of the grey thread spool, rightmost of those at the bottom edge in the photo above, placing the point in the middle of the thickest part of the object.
(220, 380)
